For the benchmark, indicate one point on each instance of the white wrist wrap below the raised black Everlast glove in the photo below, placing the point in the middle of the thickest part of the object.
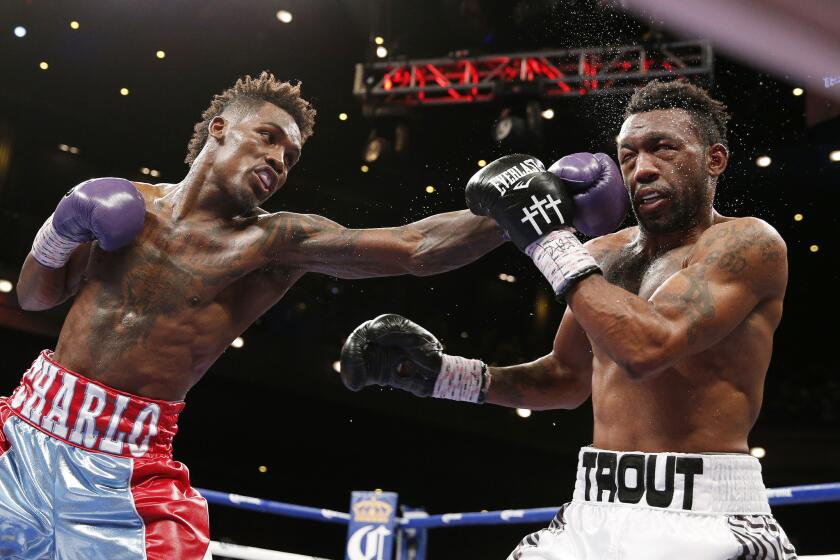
(562, 259)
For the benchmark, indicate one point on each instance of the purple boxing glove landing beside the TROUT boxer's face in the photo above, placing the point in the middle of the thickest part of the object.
(601, 200)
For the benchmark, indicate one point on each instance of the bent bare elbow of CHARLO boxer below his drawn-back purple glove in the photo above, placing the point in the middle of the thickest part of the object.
(40, 287)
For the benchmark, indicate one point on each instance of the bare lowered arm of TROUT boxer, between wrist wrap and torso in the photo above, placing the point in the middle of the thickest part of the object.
(561, 379)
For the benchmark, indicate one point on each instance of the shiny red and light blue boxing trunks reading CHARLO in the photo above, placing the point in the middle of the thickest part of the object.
(86, 473)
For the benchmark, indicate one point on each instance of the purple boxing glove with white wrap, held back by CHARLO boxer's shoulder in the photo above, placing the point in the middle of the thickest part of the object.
(108, 210)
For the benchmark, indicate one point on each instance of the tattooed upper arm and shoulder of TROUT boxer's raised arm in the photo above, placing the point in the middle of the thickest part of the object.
(737, 266)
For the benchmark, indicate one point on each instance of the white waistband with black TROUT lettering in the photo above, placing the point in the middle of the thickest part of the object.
(699, 483)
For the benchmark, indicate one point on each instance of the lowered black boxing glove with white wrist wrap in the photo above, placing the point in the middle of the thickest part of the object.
(392, 351)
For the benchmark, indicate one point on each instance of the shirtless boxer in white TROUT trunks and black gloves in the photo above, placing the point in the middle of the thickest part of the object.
(669, 327)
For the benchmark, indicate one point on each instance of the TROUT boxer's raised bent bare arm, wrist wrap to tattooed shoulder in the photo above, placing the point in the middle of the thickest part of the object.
(736, 266)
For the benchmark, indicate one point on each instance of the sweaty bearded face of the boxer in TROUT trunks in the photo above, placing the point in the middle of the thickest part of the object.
(663, 163)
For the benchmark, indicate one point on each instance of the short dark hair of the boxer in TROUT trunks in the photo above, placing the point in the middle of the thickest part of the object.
(707, 114)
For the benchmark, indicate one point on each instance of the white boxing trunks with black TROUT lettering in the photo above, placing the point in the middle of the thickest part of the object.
(658, 506)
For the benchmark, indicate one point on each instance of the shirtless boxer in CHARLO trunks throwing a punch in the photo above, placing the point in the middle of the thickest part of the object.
(165, 277)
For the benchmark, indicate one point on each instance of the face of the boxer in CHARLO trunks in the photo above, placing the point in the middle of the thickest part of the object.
(255, 152)
